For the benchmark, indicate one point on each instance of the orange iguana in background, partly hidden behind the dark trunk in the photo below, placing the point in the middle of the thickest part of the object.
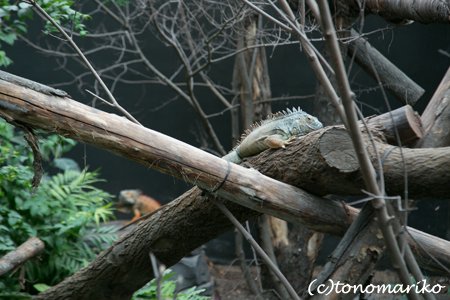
(134, 200)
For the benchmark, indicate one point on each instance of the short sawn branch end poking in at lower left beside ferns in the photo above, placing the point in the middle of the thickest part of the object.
(14, 259)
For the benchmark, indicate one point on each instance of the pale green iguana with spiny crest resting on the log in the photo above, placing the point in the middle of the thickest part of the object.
(276, 132)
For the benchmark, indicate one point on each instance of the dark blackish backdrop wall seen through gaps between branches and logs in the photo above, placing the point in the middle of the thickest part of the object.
(413, 48)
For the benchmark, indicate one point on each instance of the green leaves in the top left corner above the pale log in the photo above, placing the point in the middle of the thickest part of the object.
(14, 16)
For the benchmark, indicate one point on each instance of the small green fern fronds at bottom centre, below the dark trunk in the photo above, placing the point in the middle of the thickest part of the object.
(167, 290)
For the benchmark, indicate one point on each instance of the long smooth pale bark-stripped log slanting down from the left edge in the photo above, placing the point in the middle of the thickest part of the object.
(116, 134)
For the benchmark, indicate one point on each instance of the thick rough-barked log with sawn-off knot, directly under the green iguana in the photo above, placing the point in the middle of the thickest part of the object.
(325, 163)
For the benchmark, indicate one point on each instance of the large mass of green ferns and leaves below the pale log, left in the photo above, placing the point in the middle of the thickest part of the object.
(64, 213)
